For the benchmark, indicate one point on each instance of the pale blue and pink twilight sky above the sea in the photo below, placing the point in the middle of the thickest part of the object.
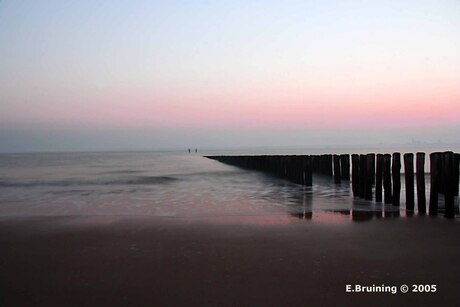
(139, 75)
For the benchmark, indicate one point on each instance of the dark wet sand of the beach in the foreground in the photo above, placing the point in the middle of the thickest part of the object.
(140, 261)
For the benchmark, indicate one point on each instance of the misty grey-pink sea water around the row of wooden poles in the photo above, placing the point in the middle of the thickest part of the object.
(173, 184)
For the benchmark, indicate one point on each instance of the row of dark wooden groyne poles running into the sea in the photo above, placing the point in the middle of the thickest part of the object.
(372, 175)
